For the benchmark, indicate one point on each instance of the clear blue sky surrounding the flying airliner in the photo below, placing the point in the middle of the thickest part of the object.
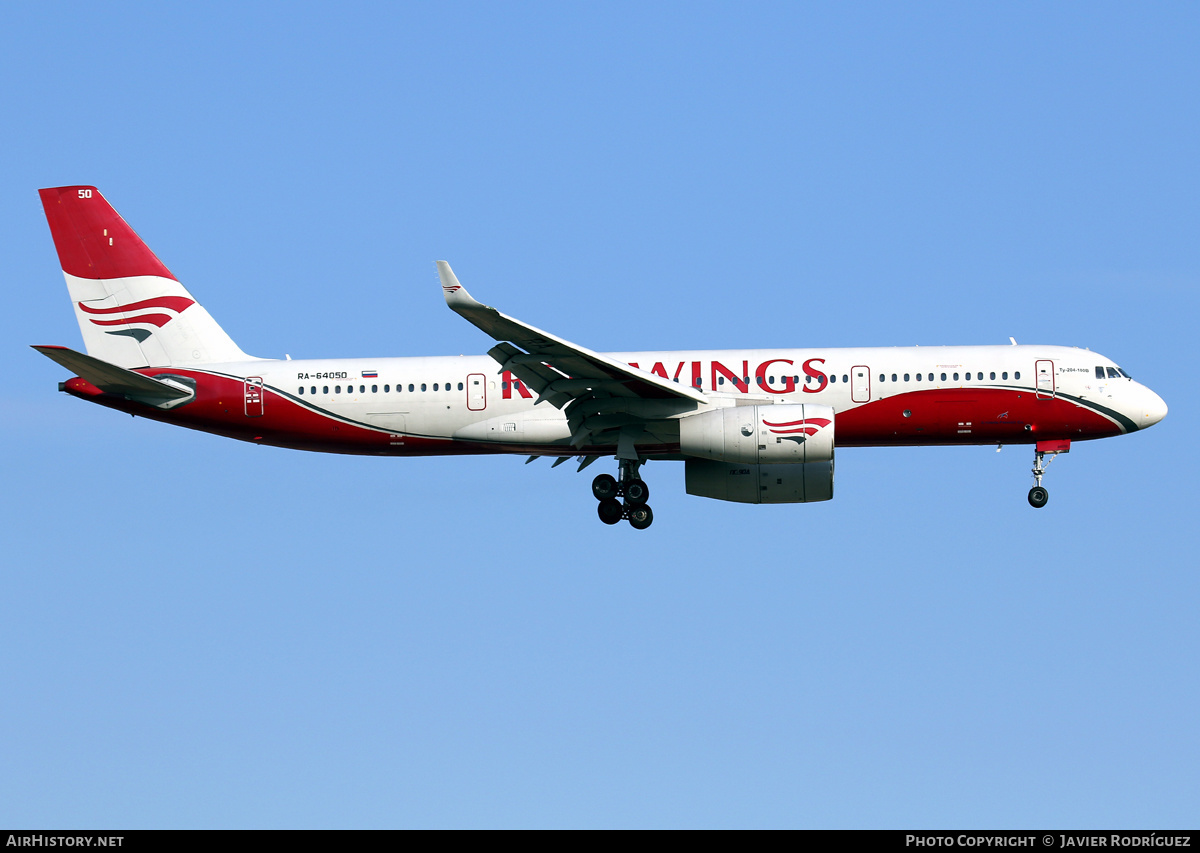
(201, 633)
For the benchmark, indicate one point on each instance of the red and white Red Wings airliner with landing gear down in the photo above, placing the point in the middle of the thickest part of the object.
(751, 426)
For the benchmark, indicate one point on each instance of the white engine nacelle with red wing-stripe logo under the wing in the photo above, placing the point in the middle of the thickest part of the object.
(778, 454)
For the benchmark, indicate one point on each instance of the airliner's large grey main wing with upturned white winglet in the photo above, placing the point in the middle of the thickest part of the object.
(560, 371)
